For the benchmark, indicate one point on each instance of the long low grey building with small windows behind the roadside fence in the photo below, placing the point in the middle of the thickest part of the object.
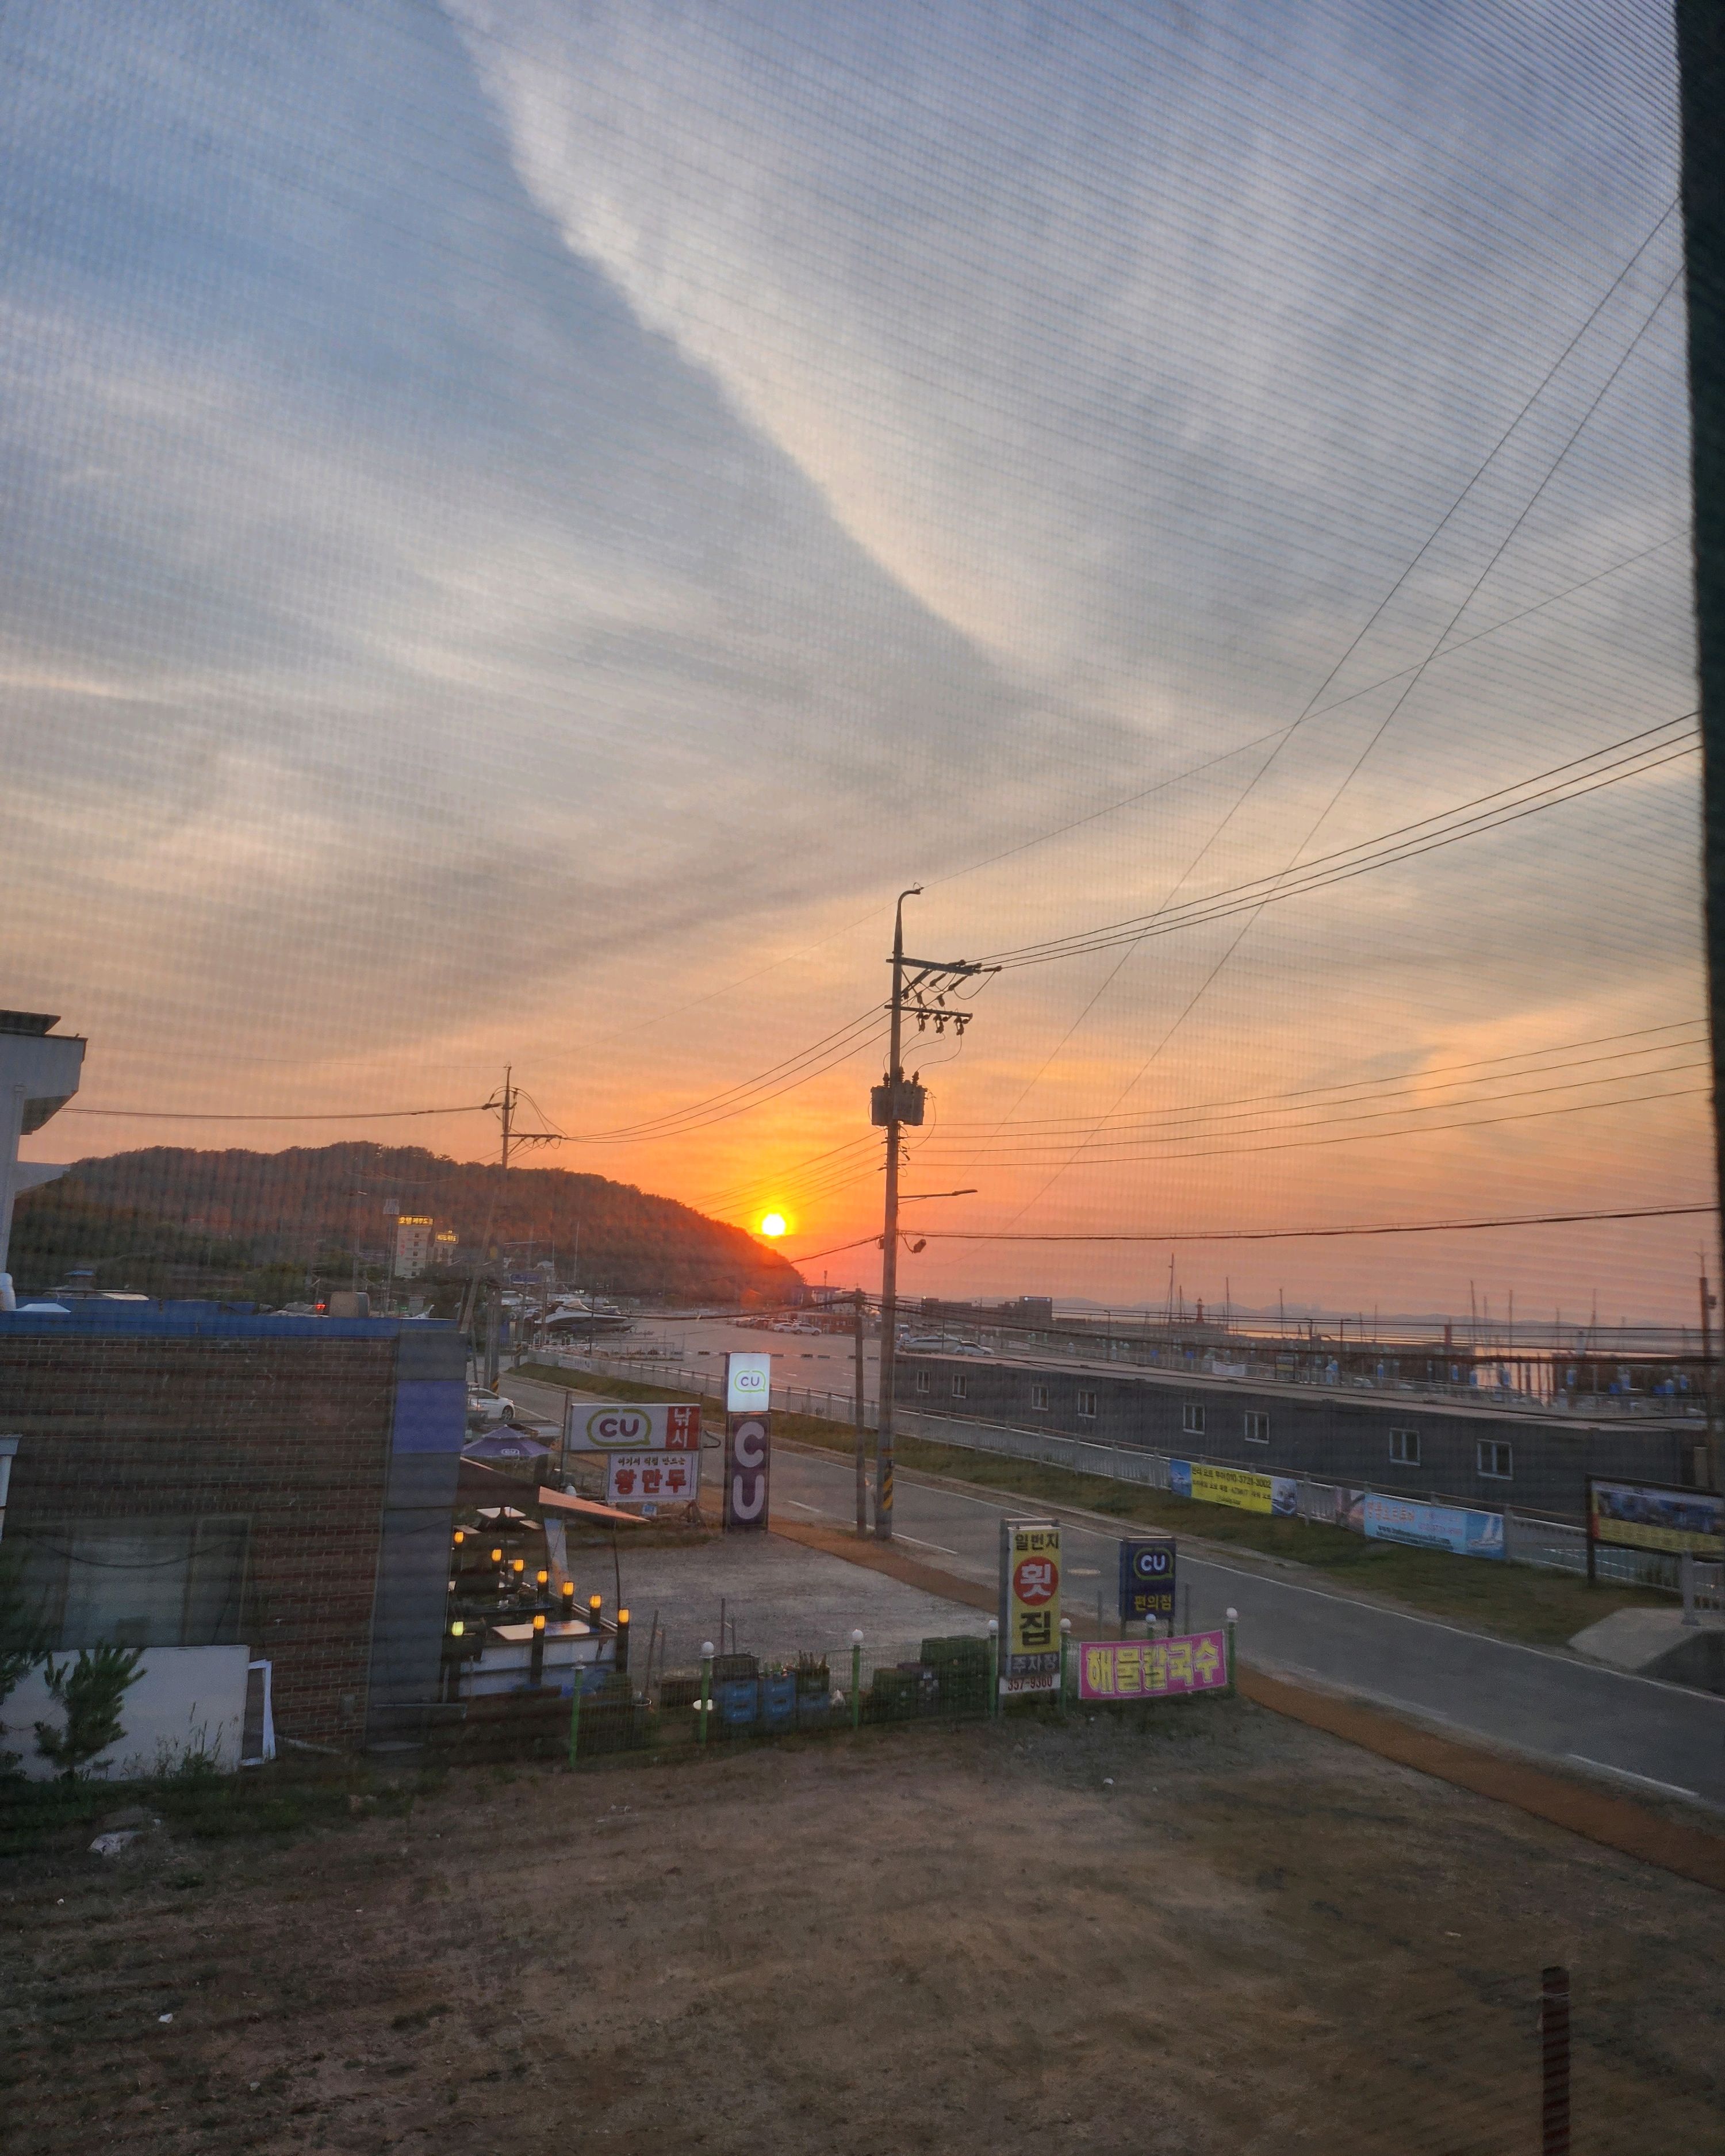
(1489, 1456)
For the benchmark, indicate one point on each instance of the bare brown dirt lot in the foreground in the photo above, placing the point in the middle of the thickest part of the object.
(1209, 1933)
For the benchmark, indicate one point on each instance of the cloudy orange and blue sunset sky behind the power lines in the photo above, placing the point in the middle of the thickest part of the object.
(534, 521)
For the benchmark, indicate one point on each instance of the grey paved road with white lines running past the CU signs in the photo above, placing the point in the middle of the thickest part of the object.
(1554, 1706)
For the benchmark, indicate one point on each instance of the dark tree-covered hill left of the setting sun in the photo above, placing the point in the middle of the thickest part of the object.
(156, 1217)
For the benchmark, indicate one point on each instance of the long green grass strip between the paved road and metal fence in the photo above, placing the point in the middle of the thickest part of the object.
(1510, 1601)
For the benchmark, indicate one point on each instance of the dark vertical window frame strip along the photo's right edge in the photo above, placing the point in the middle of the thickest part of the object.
(1702, 102)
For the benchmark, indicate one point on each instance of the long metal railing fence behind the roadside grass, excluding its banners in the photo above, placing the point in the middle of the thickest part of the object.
(1528, 1538)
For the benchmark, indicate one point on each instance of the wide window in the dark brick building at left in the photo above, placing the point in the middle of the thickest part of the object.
(141, 1584)
